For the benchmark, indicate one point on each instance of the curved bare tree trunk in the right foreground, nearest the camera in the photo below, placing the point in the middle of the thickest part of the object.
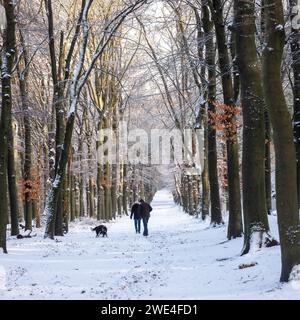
(285, 155)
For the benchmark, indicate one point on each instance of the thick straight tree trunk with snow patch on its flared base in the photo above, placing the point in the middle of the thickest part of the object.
(254, 194)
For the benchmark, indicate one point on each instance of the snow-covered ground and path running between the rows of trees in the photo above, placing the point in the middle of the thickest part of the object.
(183, 258)
